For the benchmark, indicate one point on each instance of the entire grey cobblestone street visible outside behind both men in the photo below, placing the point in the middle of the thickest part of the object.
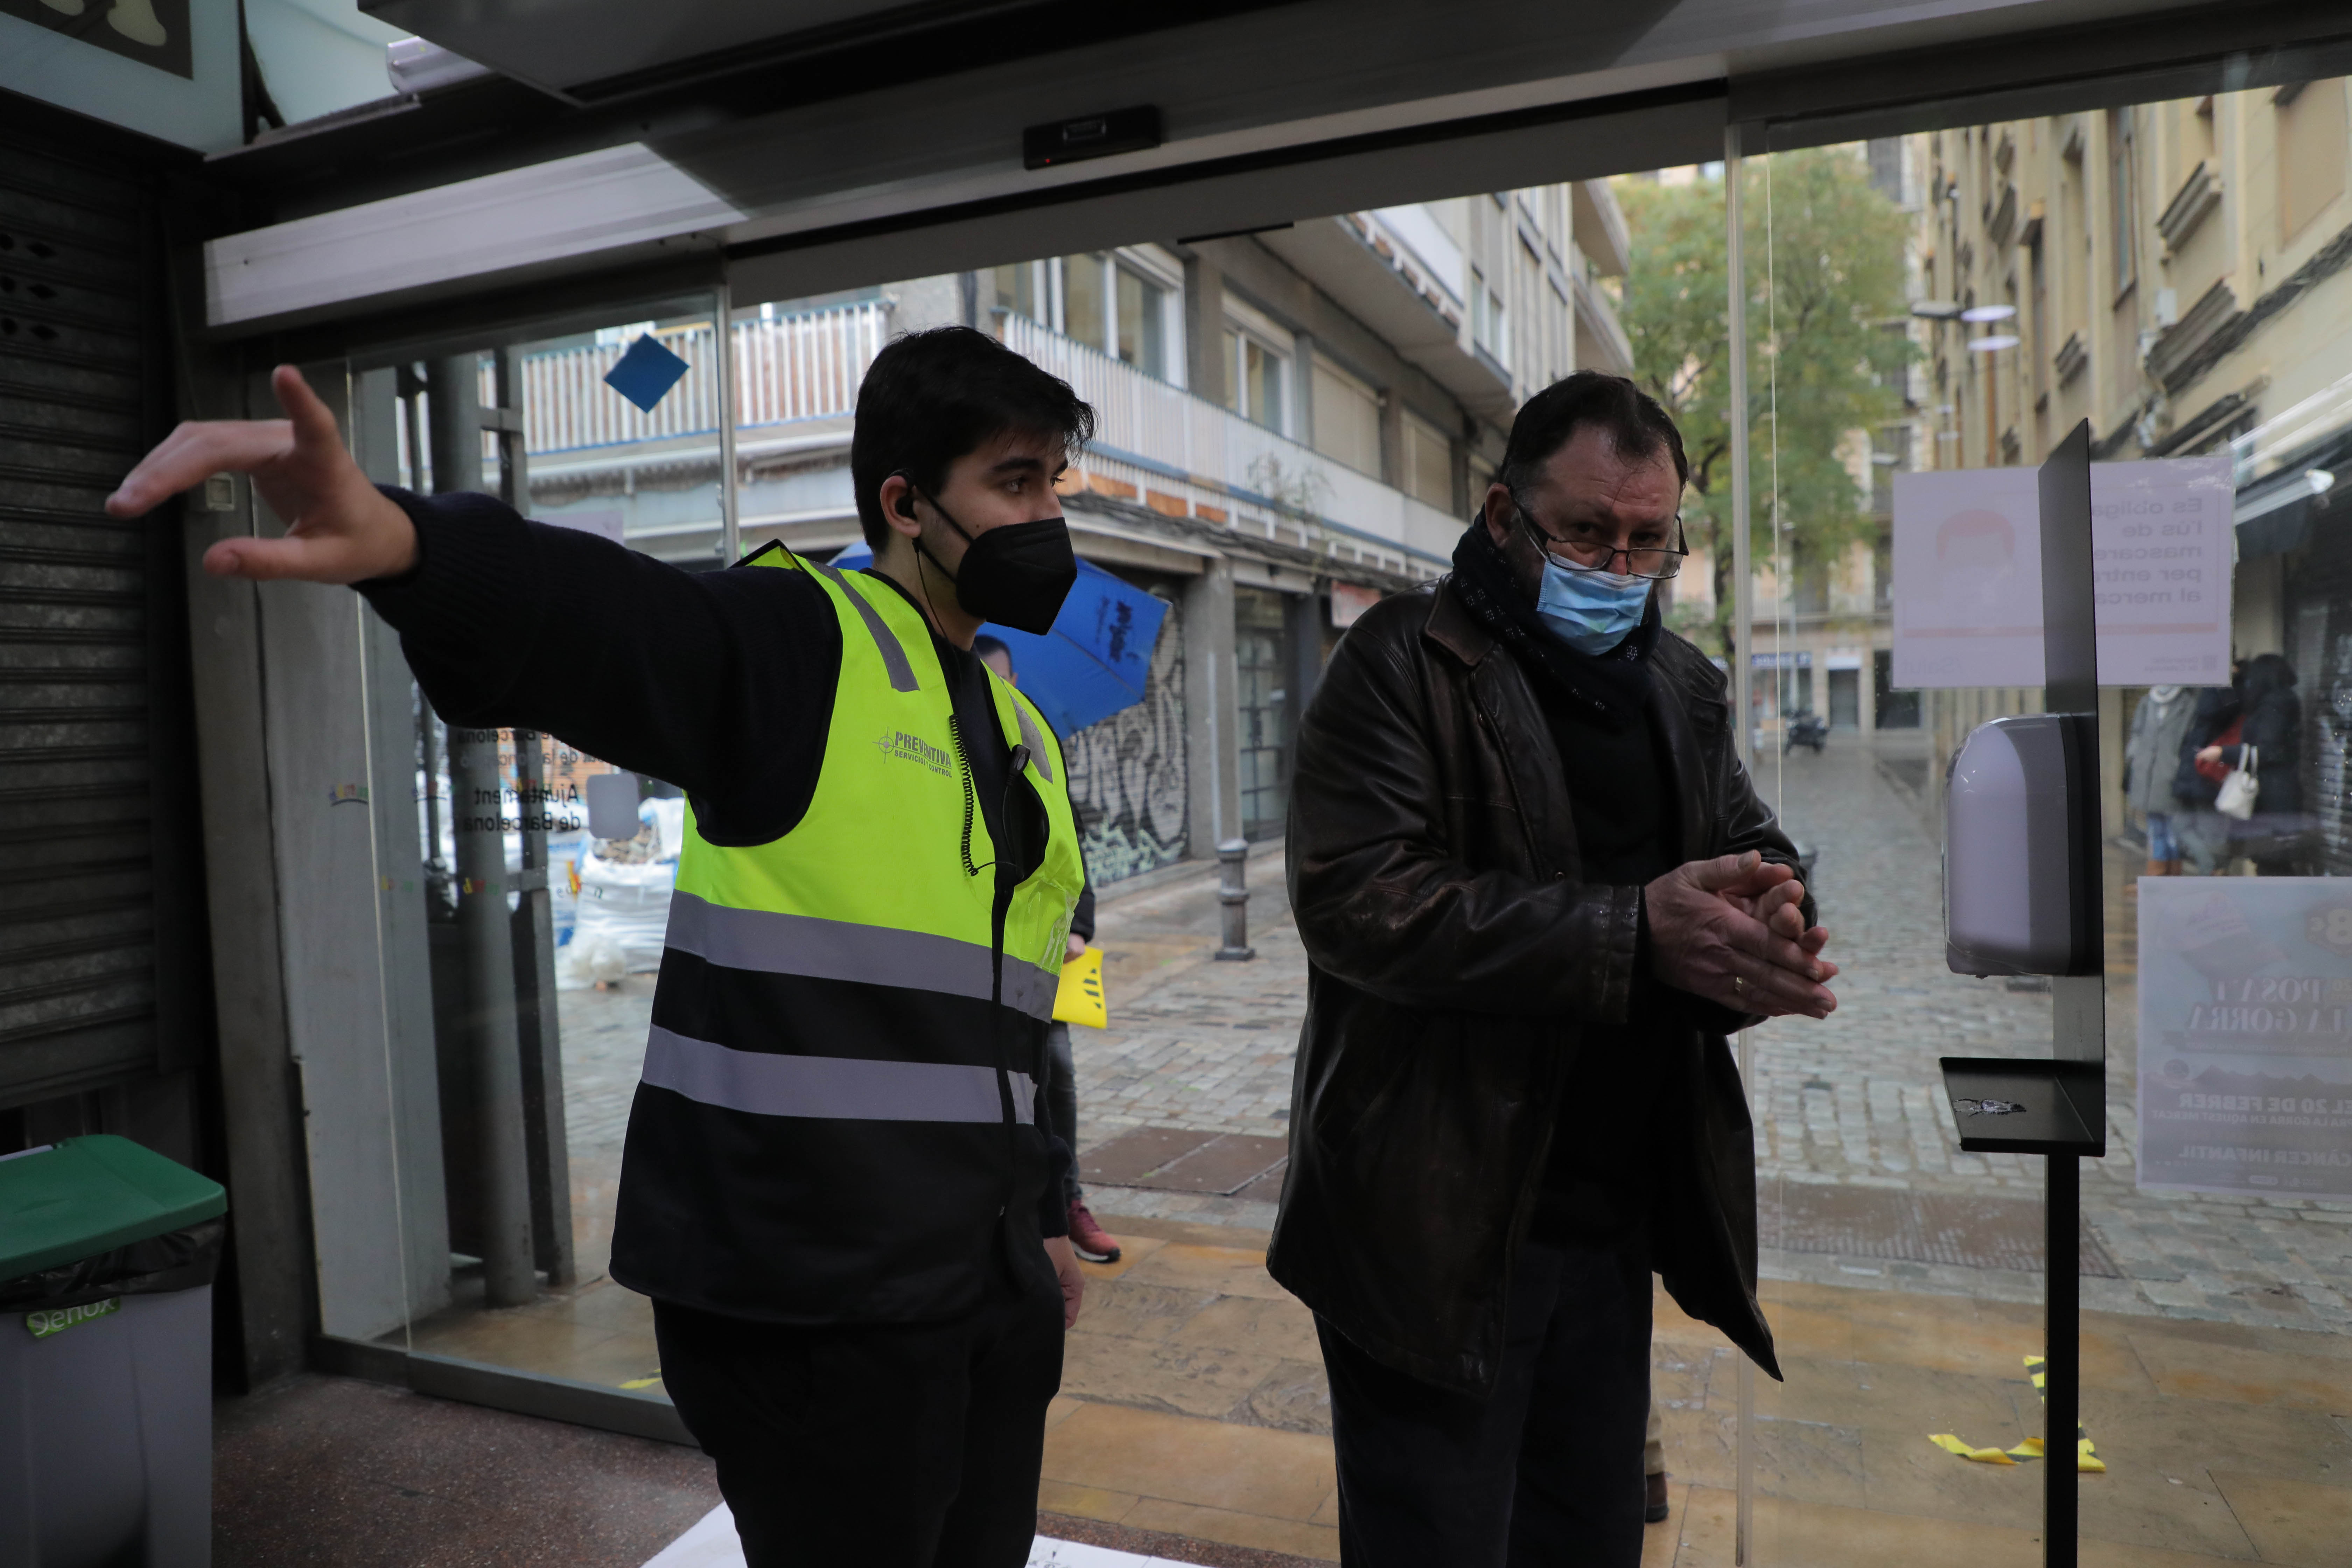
(1850, 1101)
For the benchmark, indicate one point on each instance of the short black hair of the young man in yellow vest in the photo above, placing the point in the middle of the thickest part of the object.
(935, 396)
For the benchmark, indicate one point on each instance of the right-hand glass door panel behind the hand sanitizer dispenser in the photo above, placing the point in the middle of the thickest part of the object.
(1932, 314)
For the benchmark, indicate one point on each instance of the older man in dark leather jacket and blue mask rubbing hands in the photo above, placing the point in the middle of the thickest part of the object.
(1537, 892)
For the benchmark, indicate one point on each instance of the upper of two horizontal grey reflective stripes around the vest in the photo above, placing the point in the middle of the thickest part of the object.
(780, 944)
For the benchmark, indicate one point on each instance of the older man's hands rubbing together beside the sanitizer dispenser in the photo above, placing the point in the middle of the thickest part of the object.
(1728, 930)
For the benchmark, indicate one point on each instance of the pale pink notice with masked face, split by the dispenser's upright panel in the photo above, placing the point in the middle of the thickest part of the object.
(1967, 594)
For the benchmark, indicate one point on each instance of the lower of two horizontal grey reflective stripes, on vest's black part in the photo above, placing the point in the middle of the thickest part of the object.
(831, 1087)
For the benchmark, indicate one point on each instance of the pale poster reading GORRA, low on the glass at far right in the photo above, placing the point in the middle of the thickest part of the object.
(2247, 1036)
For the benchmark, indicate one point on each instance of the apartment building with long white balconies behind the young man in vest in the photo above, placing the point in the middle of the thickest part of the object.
(1290, 424)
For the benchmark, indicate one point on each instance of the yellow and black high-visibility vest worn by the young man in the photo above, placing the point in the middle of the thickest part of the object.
(838, 1115)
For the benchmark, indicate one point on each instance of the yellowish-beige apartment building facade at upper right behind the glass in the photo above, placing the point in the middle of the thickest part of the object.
(2181, 276)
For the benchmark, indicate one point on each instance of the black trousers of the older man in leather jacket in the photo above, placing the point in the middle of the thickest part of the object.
(1544, 1475)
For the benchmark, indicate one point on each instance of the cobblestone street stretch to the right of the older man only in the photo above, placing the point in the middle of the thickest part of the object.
(1857, 1099)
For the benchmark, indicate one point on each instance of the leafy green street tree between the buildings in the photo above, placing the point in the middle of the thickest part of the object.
(1826, 269)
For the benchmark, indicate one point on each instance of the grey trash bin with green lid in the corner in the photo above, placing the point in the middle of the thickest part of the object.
(107, 1261)
